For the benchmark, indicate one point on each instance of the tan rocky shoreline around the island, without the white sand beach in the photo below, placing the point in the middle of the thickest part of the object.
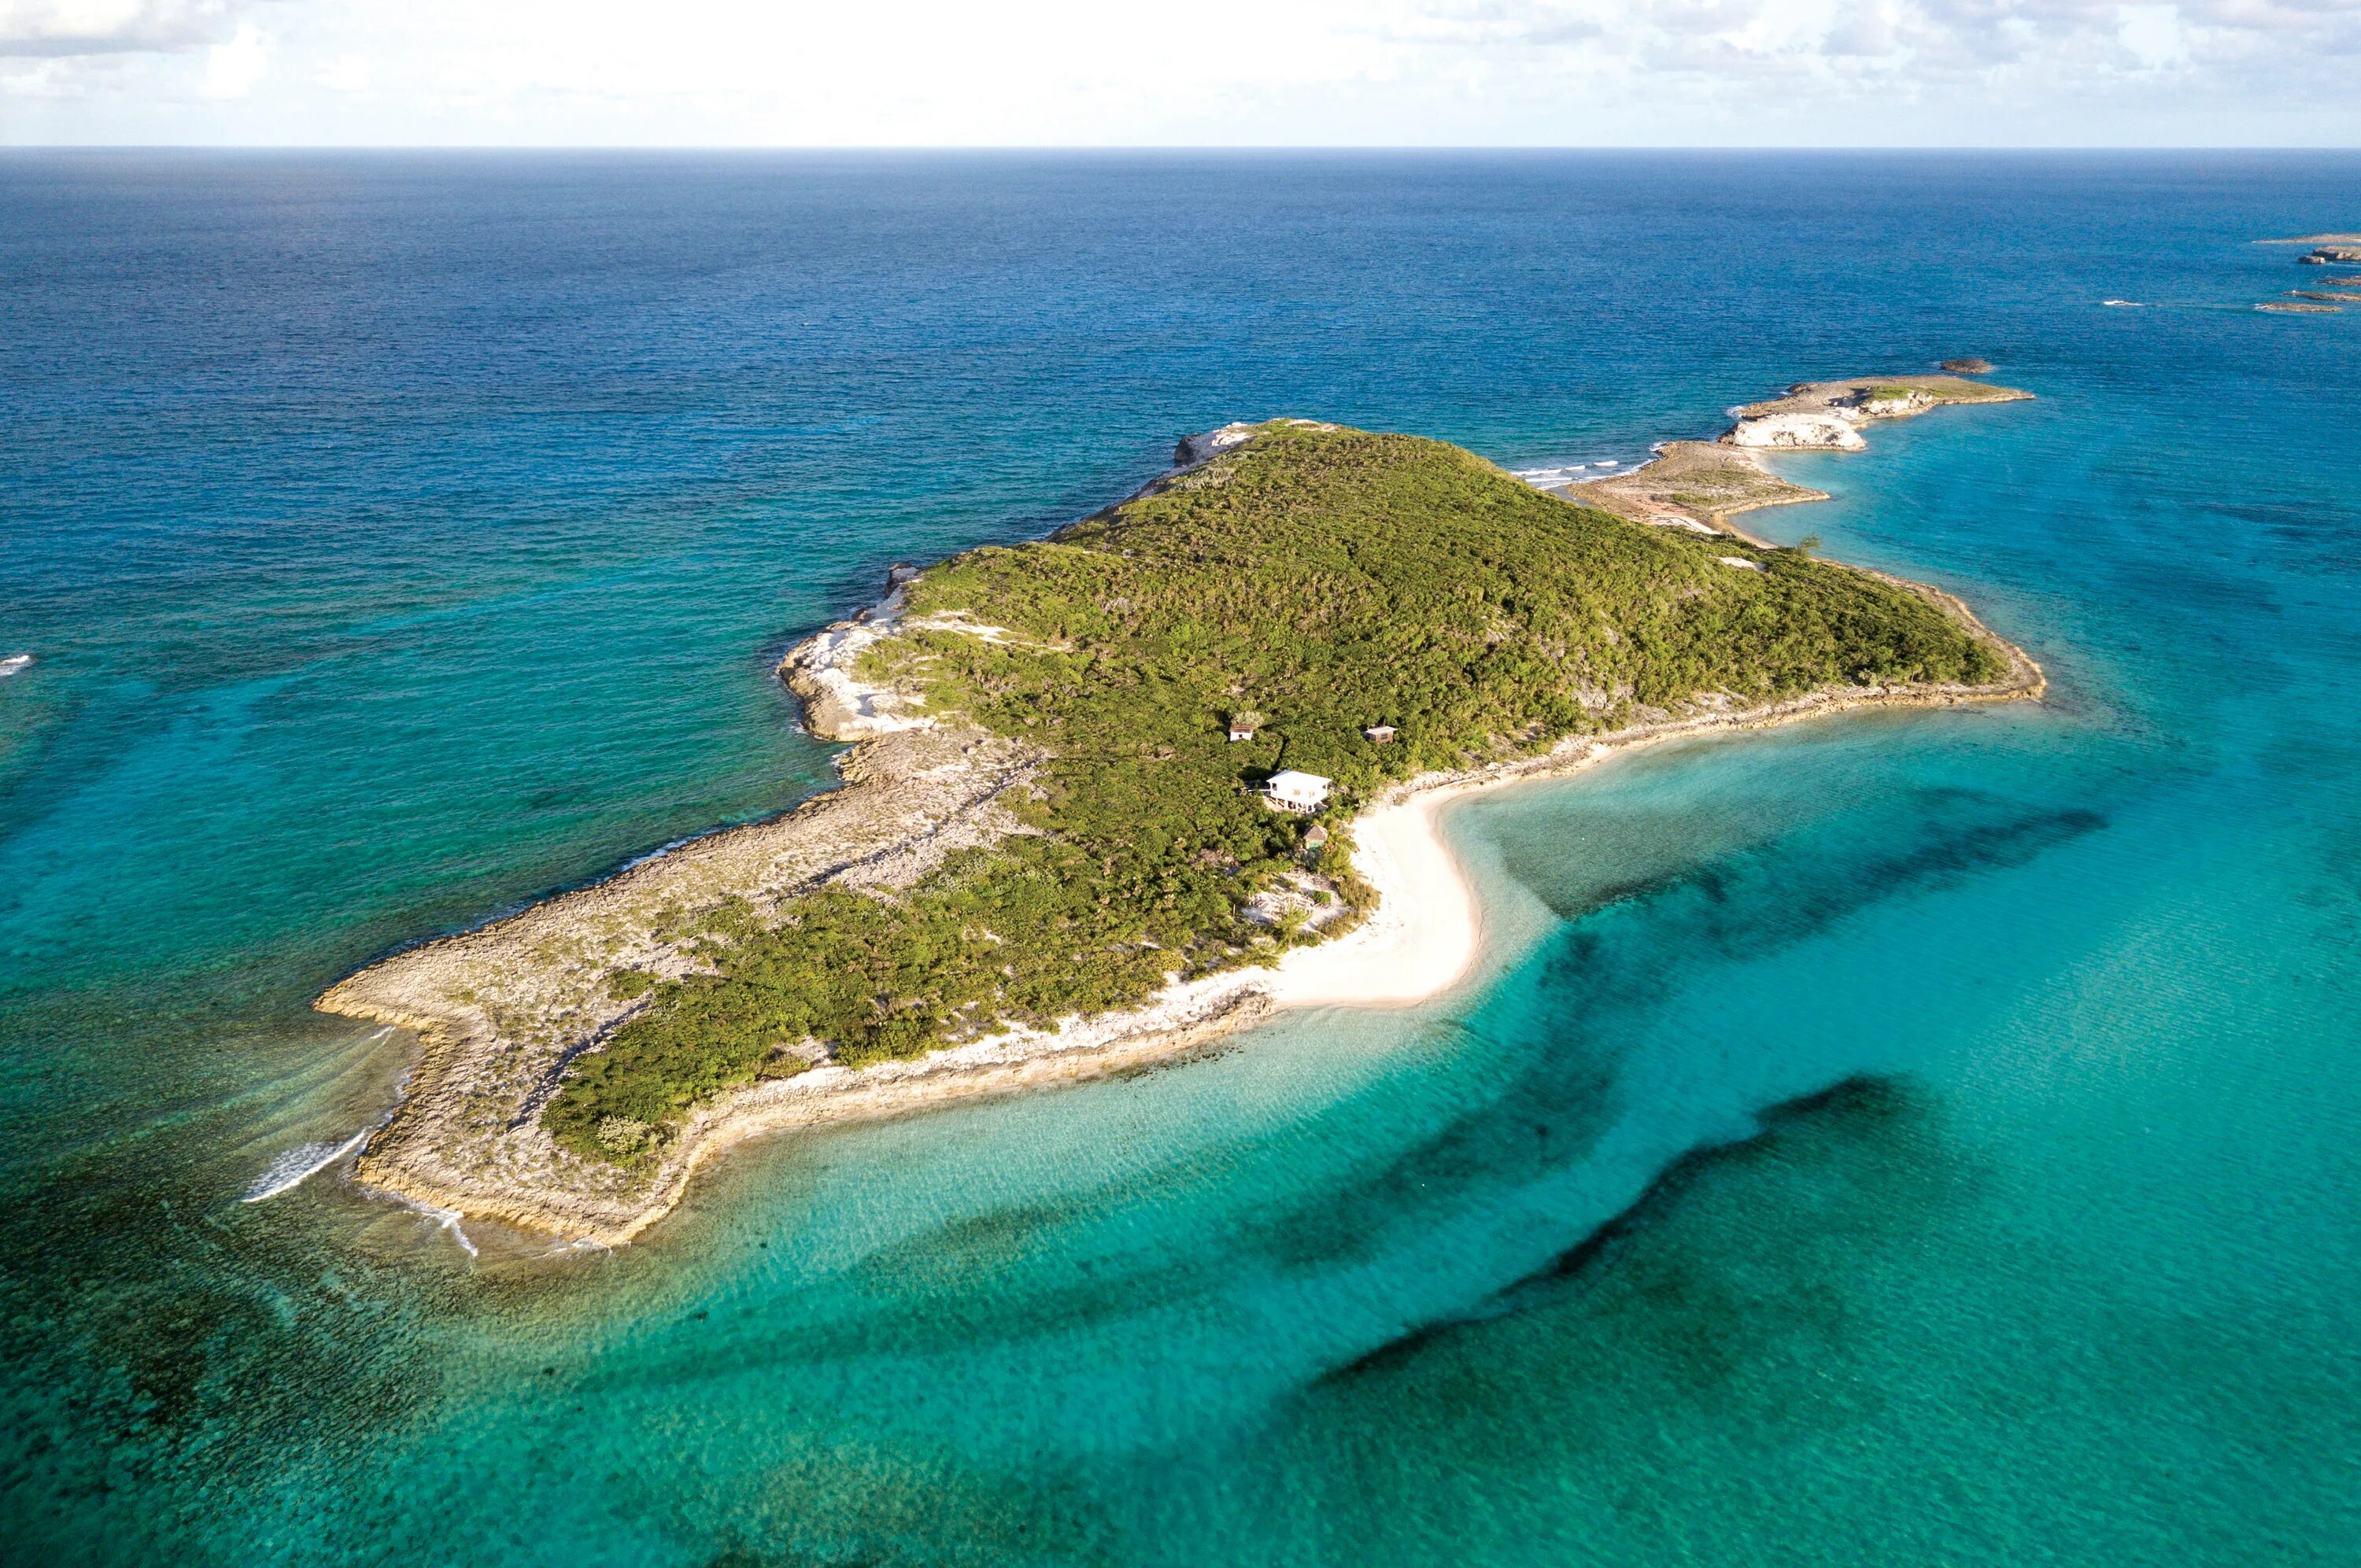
(502, 1012)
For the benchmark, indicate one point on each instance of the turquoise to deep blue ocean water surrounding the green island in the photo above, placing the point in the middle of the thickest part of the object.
(1897, 1139)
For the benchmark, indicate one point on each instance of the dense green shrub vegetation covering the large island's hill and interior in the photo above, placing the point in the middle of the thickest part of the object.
(1321, 580)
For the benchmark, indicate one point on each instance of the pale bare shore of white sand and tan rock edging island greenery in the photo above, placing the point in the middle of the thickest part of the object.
(504, 1010)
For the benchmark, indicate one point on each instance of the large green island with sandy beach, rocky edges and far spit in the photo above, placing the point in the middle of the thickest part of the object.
(1130, 788)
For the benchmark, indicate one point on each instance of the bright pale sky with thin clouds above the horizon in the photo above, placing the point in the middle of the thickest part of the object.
(1203, 74)
